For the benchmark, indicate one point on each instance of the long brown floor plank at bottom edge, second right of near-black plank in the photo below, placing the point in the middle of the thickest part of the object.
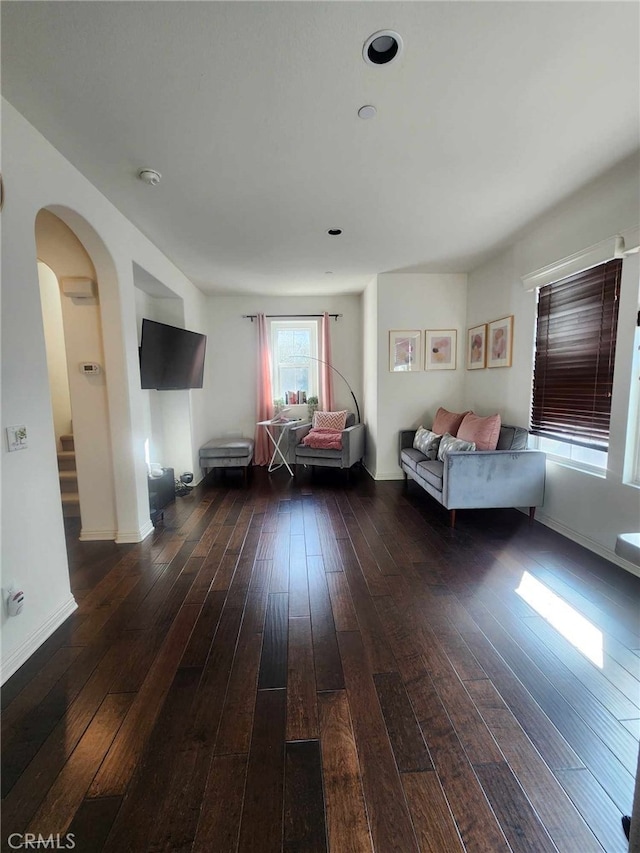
(391, 826)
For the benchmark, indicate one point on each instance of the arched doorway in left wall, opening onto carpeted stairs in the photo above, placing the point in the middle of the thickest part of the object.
(84, 439)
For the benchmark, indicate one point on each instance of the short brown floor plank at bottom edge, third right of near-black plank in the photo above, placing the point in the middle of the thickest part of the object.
(432, 819)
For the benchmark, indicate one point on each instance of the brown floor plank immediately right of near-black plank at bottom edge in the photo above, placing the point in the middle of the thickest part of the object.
(347, 826)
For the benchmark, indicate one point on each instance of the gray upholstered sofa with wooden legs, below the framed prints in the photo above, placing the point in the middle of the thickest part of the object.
(510, 476)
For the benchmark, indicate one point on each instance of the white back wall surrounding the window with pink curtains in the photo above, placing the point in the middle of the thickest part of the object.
(231, 362)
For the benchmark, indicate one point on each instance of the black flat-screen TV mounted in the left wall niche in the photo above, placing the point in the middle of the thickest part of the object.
(170, 358)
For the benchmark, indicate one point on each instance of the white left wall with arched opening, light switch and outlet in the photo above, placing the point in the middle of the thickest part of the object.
(33, 543)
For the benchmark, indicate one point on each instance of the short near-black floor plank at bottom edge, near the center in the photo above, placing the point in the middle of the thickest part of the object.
(304, 825)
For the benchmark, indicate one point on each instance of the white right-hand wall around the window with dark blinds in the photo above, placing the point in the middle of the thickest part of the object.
(588, 508)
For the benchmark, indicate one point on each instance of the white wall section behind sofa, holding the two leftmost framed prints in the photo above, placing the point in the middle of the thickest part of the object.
(405, 400)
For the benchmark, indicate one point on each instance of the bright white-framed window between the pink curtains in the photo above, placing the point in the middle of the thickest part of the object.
(294, 348)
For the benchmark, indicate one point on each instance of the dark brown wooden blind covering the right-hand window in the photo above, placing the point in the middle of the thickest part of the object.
(575, 354)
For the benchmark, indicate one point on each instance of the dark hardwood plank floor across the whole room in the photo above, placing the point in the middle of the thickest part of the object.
(312, 665)
